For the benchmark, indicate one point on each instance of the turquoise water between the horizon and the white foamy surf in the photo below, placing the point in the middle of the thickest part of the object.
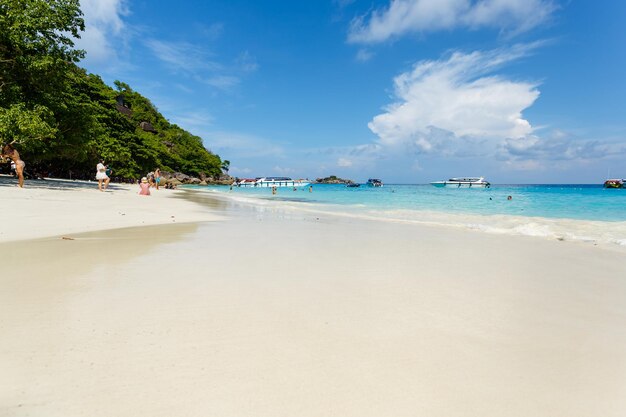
(581, 202)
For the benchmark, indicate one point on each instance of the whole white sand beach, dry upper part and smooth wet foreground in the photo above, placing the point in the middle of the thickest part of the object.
(274, 312)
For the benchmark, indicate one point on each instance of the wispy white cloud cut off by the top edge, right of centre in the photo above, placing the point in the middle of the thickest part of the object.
(409, 16)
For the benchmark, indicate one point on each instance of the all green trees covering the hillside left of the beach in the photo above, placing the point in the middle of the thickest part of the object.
(63, 119)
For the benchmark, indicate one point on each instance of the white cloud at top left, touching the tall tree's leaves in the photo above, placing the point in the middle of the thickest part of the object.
(104, 25)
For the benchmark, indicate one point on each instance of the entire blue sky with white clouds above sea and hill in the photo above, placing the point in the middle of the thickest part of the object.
(409, 91)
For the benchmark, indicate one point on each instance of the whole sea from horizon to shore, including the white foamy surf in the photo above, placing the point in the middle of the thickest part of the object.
(585, 213)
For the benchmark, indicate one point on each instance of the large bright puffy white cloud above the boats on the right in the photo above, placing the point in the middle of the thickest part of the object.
(457, 102)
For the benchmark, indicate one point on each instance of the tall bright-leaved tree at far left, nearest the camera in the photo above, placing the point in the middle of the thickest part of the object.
(36, 52)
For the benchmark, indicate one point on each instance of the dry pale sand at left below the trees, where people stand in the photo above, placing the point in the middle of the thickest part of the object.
(49, 208)
